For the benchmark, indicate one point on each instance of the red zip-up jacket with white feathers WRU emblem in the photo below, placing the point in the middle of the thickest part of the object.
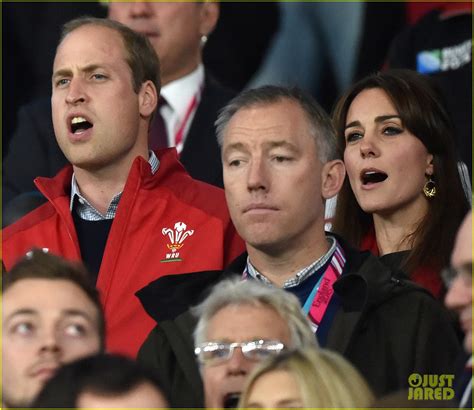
(167, 223)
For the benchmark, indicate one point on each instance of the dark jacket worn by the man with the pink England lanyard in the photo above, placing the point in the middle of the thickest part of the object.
(387, 326)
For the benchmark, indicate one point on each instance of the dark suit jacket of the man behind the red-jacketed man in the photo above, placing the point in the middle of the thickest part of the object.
(34, 151)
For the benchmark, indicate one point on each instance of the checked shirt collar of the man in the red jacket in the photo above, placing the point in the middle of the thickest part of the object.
(87, 212)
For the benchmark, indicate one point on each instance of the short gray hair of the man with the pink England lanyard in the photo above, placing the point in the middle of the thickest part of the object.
(319, 122)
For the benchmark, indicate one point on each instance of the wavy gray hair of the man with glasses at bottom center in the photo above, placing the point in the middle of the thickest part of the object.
(233, 292)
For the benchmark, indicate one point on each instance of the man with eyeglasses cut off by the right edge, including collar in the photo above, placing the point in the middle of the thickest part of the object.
(458, 280)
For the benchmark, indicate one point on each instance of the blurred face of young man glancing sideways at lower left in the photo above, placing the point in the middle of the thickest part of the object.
(46, 323)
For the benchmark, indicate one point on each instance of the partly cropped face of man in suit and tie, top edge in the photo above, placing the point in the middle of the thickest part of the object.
(175, 29)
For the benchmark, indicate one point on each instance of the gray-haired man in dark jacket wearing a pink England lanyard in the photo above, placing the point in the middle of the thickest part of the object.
(281, 164)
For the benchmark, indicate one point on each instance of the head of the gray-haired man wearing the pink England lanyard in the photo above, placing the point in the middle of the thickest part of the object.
(280, 164)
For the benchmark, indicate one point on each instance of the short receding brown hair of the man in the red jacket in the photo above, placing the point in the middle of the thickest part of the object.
(141, 56)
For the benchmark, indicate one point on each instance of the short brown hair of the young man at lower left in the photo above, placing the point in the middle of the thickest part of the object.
(38, 264)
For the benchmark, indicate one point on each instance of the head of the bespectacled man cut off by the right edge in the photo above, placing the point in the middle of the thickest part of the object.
(459, 280)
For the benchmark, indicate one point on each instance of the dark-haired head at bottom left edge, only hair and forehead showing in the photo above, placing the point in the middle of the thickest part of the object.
(102, 381)
